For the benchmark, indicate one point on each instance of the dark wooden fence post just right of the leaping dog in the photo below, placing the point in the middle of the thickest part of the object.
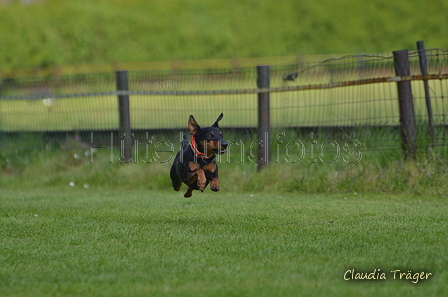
(263, 82)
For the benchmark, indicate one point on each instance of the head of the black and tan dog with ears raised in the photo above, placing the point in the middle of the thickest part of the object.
(209, 140)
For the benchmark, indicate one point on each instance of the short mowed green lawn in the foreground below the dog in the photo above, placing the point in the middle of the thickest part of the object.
(72, 241)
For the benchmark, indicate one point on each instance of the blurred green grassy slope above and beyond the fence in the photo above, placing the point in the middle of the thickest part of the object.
(48, 33)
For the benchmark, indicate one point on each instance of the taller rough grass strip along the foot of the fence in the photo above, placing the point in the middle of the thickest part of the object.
(30, 161)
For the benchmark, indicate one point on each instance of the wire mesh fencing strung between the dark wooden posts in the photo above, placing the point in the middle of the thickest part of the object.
(353, 97)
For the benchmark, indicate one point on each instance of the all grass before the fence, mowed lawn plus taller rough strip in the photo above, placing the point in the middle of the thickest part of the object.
(75, 228)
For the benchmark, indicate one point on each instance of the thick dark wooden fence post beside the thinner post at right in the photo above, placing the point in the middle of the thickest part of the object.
(406, 105)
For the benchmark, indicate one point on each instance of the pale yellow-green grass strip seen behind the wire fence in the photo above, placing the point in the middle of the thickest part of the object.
(375, 104)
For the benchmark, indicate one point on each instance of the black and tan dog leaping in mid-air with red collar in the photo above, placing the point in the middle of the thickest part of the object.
(195, 164)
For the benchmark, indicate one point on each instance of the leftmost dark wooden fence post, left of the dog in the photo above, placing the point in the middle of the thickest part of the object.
(125, 118)
